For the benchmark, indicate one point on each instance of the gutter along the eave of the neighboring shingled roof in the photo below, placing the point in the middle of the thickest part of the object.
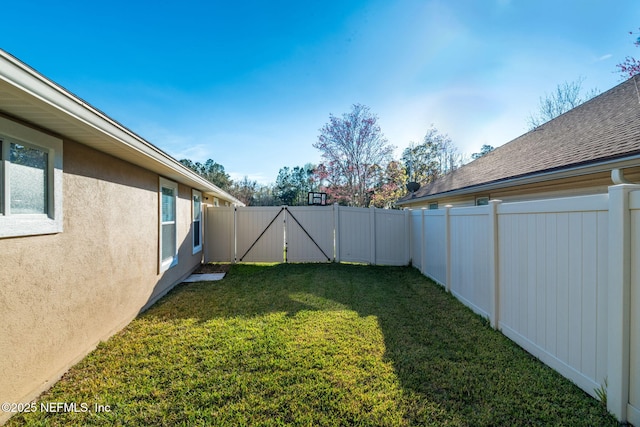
(581, 170)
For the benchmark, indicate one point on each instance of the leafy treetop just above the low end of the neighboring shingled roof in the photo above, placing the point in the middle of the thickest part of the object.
(434, 157)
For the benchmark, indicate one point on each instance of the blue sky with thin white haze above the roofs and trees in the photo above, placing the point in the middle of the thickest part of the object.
(250, 83)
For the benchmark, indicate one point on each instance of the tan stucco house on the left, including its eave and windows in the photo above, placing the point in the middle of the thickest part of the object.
(80, 233)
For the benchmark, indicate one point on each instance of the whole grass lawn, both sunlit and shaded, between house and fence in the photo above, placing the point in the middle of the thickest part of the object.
(315, 345)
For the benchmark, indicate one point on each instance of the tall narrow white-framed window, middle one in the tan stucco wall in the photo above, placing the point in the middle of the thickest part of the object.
(168, 224)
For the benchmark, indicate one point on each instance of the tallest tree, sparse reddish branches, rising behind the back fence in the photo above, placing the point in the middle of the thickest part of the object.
(352, 147)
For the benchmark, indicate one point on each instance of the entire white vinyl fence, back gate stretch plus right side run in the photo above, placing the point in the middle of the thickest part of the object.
(560, 277)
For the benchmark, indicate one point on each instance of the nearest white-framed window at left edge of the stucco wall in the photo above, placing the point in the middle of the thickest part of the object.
(30, 181)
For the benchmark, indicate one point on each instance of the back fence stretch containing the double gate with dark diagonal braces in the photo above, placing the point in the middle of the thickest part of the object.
(307, 234)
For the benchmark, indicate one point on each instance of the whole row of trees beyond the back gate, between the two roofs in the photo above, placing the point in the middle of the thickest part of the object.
(357, 167)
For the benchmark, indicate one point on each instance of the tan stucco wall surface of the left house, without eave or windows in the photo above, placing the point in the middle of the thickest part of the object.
(63, 293)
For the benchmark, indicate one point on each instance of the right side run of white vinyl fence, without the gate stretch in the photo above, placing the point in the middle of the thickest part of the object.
(559, 277)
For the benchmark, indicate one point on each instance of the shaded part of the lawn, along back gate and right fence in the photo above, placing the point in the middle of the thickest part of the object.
(452, 368)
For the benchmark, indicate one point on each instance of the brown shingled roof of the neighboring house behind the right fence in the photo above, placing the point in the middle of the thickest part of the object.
(590, 137)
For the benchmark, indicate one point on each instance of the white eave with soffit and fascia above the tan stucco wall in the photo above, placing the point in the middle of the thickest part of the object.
(27, 95)
